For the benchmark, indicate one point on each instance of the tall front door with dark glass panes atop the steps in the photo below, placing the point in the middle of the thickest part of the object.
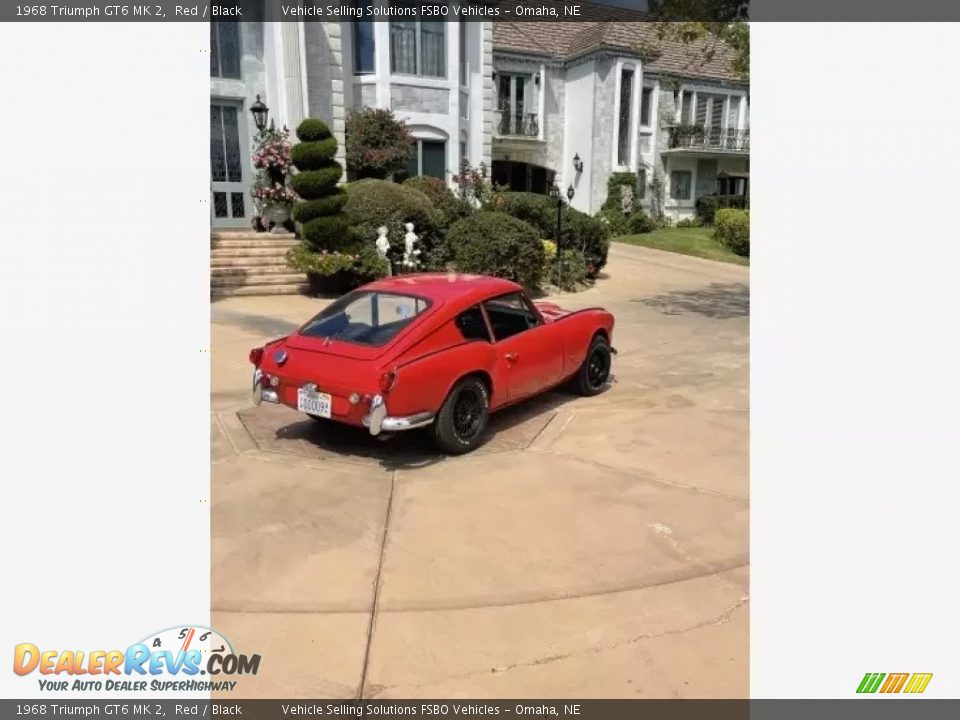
(229, 178)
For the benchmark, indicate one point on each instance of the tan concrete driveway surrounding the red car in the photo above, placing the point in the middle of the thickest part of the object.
(594, 547)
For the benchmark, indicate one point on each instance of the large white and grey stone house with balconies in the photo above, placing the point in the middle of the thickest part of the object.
(538, 103)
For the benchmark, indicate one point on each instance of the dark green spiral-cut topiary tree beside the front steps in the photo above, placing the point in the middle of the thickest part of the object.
(325, 227)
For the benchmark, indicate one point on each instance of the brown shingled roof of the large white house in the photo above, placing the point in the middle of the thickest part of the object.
(620, 30)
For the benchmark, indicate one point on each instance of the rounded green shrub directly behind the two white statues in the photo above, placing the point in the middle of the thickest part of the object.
(375, 203)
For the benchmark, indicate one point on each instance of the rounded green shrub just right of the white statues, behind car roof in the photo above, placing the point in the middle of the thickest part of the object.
(494, 243)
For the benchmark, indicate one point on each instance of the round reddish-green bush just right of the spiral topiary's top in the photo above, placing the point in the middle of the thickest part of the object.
(378, 144)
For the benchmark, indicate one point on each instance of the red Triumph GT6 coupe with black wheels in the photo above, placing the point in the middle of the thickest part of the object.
(432, 349)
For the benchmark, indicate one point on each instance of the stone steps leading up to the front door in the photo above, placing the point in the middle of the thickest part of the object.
(249, 263)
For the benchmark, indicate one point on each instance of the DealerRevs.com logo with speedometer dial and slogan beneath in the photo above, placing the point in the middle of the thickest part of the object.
(181, 659)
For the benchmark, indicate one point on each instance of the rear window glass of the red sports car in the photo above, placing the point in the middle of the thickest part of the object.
(366, 318)
